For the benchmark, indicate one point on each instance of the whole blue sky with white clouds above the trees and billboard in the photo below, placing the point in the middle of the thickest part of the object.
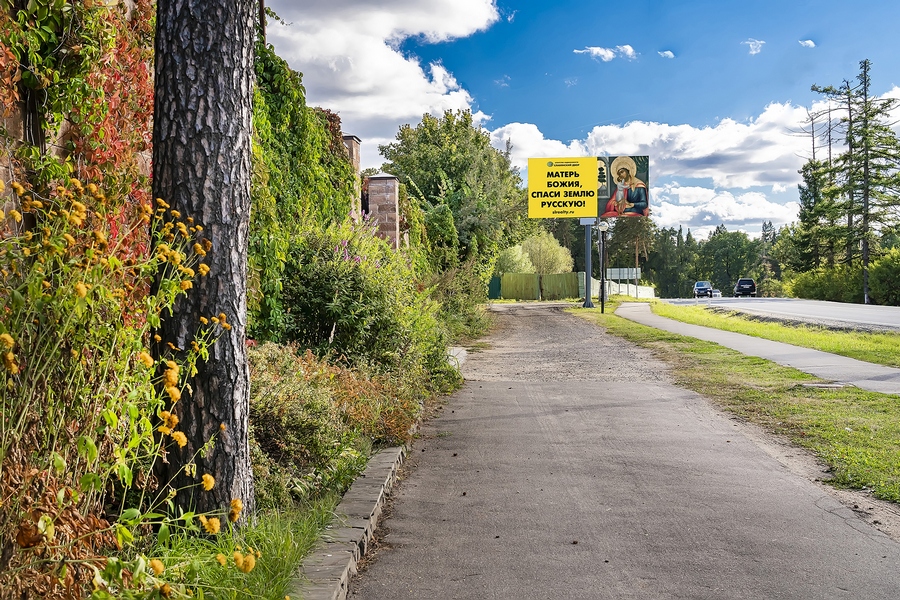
(716, 92)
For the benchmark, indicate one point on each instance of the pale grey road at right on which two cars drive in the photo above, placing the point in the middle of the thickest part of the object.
(829, 313)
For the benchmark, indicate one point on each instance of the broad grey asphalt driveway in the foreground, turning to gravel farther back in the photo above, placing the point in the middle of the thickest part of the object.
(569, 466)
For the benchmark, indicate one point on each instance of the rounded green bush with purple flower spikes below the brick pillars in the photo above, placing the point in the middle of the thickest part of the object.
(348, 295)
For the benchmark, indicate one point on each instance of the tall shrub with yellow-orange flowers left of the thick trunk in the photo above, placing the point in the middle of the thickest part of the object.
(80, 401)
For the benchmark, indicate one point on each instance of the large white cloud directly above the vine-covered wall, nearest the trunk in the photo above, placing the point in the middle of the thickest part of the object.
(348, 53)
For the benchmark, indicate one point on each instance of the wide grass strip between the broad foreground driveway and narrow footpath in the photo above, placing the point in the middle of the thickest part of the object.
(856, 433)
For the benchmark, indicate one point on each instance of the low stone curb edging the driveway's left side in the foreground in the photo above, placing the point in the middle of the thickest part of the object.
(325, 574)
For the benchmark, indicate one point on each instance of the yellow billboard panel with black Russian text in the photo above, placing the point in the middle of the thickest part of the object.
(562, 187)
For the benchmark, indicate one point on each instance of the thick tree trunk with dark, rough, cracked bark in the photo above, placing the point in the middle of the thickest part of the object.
(201, 167)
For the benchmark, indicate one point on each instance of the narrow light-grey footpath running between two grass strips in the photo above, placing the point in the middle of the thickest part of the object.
(875, 378)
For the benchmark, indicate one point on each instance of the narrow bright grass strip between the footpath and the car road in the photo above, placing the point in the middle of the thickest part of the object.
(878, 348)
